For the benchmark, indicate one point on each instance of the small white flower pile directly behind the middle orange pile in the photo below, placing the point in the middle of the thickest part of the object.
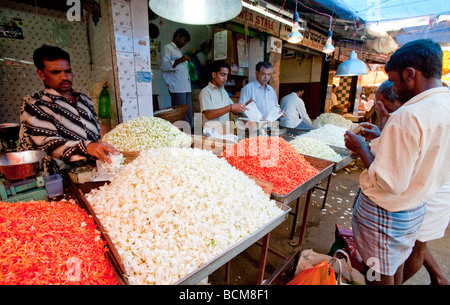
(312, 147)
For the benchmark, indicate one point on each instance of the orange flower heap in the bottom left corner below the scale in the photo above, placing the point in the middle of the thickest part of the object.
(47, 243)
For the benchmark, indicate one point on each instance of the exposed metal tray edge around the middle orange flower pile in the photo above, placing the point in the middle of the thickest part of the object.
(325, 169)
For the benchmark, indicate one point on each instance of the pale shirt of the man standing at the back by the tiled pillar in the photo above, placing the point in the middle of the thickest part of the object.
(176, 78)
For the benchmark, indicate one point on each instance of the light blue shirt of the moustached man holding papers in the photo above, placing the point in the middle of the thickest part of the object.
(265, 99)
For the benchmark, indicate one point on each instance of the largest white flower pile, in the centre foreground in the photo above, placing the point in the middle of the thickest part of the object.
(171, 210)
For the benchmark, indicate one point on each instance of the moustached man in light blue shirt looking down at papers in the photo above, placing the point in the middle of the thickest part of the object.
(261, 92)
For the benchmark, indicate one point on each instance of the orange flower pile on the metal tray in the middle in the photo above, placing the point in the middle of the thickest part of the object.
(271, 159)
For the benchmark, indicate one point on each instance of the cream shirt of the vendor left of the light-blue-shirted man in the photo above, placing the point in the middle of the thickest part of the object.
(213, 97)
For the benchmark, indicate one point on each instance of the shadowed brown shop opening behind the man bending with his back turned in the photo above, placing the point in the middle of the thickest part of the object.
(299, 68)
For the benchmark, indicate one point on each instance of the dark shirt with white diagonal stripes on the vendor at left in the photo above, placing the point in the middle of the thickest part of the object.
(60, 127)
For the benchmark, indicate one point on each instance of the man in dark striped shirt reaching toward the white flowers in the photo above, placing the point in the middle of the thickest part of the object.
(59, 120)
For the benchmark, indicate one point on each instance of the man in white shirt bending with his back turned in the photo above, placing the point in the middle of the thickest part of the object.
(296, 116)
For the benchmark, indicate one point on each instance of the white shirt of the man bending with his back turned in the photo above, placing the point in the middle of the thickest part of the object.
(295, 110)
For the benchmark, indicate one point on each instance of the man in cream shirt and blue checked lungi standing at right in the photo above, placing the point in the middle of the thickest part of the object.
(410, 164)
